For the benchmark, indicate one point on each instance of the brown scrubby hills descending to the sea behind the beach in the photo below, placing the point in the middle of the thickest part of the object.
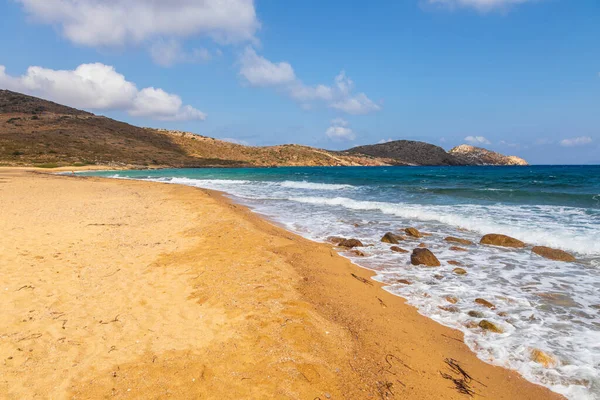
(34, 131)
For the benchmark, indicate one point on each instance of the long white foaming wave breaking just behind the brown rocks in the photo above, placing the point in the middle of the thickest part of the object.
(521, 224)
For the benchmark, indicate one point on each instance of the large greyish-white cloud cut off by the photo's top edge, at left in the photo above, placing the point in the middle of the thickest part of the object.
(119, 22)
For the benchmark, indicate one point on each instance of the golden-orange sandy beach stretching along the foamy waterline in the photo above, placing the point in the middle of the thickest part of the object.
(143, 290)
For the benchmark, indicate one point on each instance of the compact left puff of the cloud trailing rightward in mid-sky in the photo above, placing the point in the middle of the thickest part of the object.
(259, 71)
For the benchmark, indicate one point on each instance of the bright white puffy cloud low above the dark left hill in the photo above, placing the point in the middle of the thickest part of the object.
(99, 87)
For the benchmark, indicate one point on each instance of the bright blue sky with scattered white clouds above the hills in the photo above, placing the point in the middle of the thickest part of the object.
(521, 77)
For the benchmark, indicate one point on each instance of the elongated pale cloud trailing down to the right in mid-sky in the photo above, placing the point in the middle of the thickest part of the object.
(259, 71)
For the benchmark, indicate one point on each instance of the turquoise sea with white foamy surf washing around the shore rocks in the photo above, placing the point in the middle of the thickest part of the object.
(540, 304)
